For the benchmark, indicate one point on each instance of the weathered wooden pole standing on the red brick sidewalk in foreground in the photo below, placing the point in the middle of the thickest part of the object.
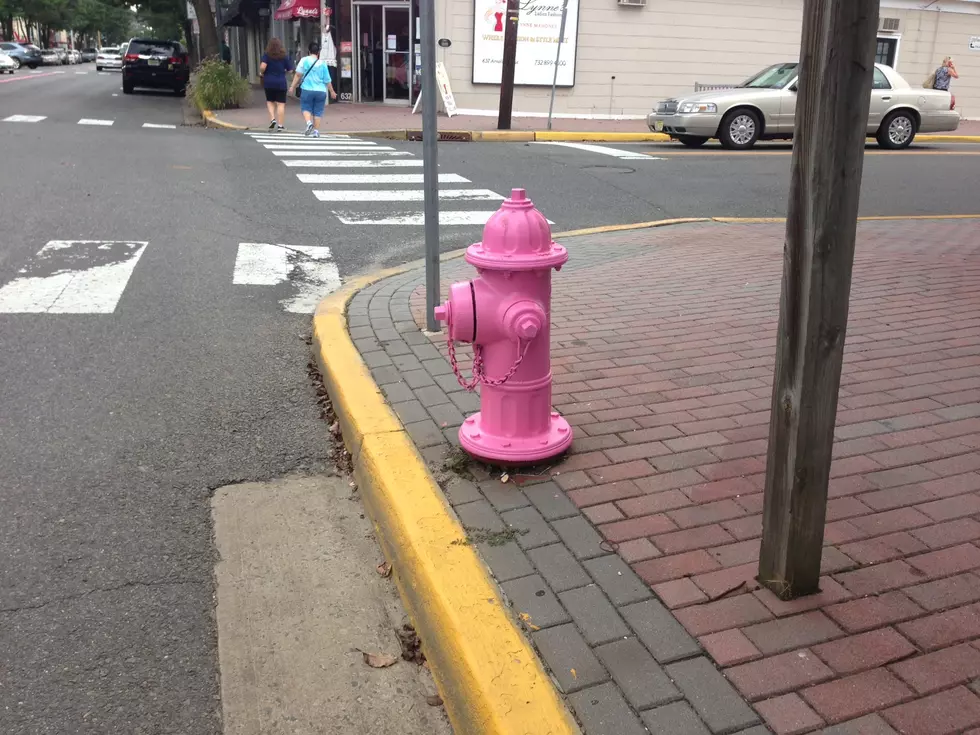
(837, 64)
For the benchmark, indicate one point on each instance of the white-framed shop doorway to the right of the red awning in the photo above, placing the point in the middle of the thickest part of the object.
(385, 50)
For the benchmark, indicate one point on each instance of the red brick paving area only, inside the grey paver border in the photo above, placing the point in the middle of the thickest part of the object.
(667, 355)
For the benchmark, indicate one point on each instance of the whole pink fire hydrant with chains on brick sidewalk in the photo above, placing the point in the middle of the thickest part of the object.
(506, 314)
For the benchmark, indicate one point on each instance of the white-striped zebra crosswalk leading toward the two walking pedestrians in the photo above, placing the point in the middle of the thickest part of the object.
(366, 181)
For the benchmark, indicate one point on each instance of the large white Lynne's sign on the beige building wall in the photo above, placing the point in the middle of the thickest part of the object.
(537, 42)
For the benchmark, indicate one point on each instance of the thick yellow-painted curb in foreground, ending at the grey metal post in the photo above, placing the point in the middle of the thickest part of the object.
(489, 677)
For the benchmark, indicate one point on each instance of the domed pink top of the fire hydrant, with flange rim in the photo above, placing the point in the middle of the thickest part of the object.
(517, 237)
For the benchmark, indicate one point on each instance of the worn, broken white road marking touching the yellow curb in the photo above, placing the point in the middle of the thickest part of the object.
(309, 268)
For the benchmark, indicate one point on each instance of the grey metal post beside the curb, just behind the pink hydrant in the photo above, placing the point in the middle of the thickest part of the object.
(430, 171)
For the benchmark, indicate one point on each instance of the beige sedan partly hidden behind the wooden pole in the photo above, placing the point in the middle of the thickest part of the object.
(764, 108)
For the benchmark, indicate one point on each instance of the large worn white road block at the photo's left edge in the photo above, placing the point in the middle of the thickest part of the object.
(73, 277)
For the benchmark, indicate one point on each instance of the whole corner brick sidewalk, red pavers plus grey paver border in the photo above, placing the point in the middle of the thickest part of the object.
(636, 566)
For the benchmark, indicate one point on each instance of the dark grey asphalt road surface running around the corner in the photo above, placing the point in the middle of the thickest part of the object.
(118, 422)
